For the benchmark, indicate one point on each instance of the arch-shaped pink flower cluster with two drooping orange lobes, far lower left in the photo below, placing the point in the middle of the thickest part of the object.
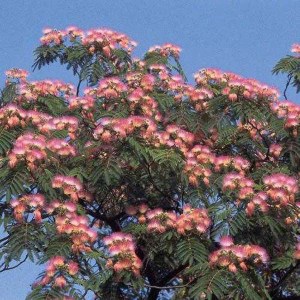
(26, 203)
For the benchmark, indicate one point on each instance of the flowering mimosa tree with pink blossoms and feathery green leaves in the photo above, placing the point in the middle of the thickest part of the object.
(143, 186)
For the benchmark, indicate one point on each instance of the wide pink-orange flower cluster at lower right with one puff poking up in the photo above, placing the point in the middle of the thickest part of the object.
(236, 257)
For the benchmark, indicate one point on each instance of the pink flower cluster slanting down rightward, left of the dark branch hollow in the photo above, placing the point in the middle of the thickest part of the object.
(71, 187)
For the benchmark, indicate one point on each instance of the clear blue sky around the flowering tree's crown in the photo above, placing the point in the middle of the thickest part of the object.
(245, 36)
